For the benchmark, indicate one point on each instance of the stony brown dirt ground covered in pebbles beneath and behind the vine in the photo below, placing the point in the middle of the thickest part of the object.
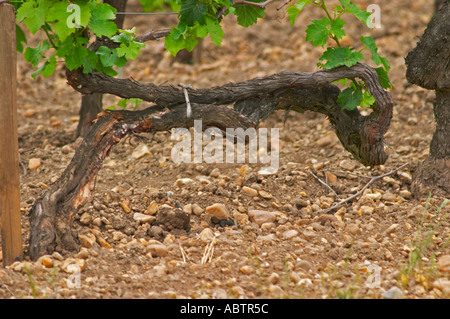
(384, 244)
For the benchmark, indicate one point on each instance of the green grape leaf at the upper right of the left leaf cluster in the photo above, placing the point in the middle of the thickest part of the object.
(100, 22)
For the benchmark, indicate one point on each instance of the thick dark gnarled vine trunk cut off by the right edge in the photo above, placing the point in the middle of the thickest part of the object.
(428, 66)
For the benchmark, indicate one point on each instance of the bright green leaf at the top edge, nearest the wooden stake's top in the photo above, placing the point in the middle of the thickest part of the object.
(33, 14)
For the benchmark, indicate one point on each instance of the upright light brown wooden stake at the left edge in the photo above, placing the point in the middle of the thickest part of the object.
(10, 219)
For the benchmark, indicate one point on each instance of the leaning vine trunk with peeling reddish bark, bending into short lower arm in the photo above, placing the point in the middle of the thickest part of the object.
(52, 213)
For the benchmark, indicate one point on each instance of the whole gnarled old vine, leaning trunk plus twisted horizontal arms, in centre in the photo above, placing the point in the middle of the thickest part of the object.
(251, 101)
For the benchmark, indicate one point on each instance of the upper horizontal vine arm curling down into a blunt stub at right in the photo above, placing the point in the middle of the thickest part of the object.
(361, 136)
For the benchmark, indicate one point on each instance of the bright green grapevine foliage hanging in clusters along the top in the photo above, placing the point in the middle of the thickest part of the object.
(70, 25)
